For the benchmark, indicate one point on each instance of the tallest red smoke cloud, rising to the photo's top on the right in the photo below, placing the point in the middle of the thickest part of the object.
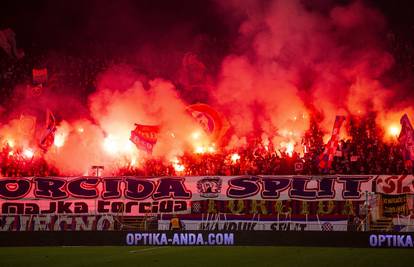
(295, 61)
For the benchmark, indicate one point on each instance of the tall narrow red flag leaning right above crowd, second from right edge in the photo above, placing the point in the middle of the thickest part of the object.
(326, 158)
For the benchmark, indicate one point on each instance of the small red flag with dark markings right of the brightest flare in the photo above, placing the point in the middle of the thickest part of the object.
(145, 137)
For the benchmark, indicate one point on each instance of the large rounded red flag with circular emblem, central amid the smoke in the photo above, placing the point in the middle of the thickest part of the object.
(213, 123)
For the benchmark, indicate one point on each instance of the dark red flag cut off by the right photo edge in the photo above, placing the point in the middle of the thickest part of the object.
(406, 140)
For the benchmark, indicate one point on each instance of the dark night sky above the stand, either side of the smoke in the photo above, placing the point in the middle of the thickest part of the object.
(66, 23)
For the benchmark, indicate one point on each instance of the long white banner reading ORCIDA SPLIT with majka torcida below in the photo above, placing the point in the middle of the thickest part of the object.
(138, 195)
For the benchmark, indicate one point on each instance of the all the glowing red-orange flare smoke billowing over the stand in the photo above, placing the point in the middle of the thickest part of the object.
(288, 63)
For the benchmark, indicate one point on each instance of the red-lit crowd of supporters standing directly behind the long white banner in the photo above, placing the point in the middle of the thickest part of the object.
(353, 156)
